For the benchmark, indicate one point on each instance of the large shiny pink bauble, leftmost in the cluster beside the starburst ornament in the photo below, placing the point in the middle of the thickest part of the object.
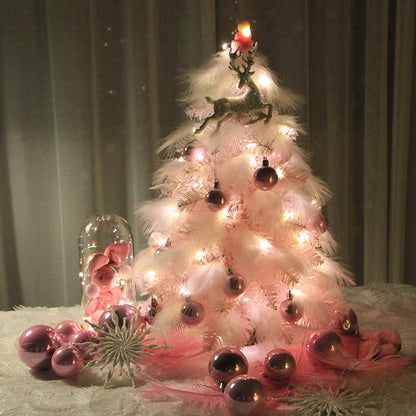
(36, 346)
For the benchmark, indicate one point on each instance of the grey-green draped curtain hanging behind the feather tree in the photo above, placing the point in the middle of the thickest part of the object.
(88, 89)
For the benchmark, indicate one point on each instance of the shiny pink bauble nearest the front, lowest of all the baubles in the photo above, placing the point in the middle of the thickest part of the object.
(245, 396)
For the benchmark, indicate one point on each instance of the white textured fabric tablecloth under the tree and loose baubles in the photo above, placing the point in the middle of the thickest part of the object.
(25, 393)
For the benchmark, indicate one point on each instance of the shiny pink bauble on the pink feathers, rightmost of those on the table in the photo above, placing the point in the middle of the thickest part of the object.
(324, 345)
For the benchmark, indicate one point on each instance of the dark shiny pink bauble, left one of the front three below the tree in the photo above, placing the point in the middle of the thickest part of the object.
(227, 363)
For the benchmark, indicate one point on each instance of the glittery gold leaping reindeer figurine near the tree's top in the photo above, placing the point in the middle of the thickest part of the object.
(248, 104)
